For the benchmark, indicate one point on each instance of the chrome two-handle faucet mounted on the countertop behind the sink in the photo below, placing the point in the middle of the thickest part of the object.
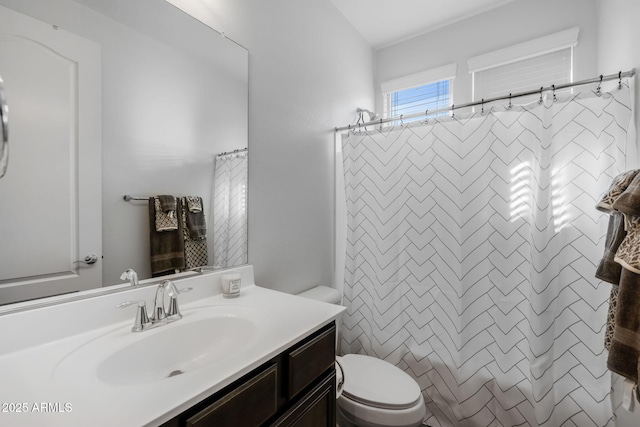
(161, 315)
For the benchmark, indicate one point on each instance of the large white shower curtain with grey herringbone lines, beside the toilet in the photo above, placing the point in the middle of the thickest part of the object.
(471, 248)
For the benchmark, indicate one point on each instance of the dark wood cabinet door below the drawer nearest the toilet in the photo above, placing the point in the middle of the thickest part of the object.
(316, 409)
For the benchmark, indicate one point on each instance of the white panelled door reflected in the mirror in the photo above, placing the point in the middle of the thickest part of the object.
(50, 197)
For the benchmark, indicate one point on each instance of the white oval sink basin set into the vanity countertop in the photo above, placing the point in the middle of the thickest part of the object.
(200, 339)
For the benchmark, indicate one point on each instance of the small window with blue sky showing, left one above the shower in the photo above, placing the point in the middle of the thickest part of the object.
(416, 93)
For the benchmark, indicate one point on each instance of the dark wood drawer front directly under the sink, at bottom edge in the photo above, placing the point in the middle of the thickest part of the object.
(251, 404)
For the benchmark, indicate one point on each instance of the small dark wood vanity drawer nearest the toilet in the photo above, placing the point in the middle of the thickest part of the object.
(308, 361)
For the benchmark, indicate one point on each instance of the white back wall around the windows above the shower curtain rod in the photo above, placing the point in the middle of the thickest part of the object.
(511, 24)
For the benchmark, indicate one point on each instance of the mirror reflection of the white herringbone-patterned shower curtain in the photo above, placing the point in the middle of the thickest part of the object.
(229, 209)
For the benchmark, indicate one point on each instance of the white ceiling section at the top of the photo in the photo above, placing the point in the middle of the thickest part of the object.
(384, 22)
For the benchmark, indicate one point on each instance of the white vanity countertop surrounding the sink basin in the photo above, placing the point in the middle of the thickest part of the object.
(33, 394)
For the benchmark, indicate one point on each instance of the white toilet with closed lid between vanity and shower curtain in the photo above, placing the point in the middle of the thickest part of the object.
(371, 391)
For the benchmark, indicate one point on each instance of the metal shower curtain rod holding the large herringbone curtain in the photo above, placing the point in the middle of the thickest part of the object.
(598, 79)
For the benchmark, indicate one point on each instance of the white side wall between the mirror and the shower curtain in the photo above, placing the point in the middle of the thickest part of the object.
(308, 71)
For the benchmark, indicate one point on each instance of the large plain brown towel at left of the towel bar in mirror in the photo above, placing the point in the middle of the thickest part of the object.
(166, 247)
